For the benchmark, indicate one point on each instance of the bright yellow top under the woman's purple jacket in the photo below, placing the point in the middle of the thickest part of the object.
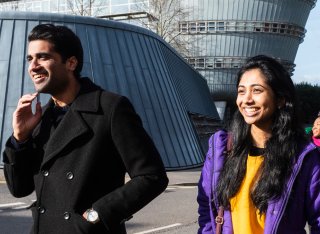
(245, 216)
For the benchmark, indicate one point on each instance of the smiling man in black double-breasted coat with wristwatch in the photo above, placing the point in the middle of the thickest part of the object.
(74, 152)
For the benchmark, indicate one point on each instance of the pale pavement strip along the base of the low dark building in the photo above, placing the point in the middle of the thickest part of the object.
(187, 177)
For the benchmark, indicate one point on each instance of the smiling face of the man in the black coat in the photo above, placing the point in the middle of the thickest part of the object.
(46, 69)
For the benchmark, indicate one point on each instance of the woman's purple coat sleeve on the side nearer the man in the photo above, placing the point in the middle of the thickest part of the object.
(205, 194)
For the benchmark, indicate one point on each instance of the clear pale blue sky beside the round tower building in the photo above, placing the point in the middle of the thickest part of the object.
(307, 59)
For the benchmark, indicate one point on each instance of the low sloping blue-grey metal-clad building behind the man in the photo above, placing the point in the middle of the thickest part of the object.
(122, 58)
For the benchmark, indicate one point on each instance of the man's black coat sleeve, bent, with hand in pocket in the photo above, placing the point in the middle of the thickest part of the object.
(142, 162)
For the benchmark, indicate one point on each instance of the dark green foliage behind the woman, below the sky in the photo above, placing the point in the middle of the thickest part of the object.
(309, 97)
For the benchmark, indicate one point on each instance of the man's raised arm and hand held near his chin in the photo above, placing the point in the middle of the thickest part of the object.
(19, 156)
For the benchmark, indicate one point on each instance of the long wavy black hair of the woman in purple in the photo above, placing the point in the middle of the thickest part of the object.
(280, 148)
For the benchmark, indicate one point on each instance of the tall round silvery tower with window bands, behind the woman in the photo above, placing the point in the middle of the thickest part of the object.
(226, 32)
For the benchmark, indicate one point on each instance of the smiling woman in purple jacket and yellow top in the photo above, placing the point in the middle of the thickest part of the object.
(268, 180)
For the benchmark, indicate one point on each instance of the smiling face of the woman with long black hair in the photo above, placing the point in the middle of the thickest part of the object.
(256, 100)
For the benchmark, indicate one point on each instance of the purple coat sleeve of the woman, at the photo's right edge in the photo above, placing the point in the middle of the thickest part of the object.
(313, 195)
